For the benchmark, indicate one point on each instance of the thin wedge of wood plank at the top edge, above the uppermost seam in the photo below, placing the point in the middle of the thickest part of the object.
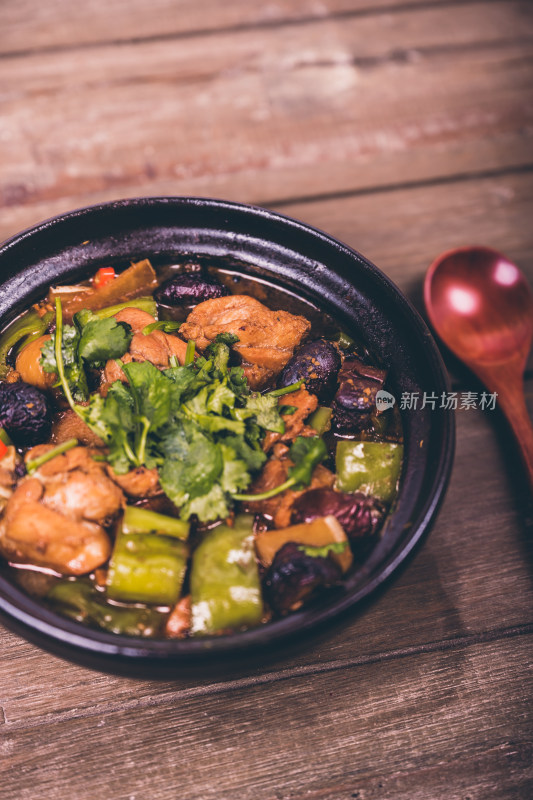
(59, 23)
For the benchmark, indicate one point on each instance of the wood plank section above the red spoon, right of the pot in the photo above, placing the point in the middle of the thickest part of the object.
(402, 232)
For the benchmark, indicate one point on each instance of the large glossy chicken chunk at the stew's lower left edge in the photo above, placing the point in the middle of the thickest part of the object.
(31, 533)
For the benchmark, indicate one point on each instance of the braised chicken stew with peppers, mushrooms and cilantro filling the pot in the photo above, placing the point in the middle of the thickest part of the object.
(188, 451)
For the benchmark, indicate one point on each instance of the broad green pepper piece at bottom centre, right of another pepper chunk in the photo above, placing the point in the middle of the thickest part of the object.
(225, 584)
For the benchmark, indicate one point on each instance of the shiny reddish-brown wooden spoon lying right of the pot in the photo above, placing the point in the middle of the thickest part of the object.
(481, 306)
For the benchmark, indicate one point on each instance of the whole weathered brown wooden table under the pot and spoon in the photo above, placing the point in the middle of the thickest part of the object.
(403, 127)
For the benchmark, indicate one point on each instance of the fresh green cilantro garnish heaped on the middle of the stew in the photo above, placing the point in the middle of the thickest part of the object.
(198, 423)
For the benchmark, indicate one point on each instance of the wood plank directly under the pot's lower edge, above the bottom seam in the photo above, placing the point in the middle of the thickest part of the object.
(471, 575)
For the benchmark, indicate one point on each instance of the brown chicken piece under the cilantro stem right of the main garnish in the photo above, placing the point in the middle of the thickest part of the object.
(279, 508)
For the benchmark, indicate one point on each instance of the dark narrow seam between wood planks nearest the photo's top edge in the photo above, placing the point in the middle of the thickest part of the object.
(243, 28)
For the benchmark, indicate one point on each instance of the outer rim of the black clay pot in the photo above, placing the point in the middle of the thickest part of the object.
(26, 615)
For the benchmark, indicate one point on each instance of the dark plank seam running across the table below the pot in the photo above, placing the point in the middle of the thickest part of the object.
(440, 646)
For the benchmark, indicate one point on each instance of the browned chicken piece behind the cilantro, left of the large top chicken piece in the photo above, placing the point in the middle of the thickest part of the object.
(156, 347)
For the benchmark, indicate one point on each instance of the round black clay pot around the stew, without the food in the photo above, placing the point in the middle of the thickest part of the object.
(309, 263)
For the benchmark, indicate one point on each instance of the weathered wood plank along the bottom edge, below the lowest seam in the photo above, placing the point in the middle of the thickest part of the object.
(454, 724)
